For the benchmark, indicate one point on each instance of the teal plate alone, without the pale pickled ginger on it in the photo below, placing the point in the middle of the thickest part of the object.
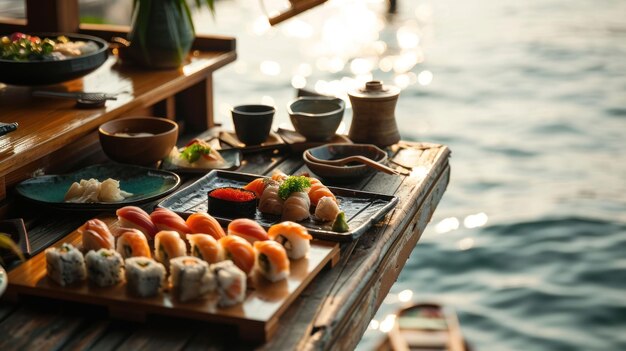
(145, 184)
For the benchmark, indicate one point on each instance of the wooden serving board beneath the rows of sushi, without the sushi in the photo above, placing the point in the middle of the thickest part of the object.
(256, 318)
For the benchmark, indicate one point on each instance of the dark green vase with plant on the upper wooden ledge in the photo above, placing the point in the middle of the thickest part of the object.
(162, 31)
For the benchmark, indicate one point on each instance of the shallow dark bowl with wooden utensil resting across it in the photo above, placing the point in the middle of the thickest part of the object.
(337, 151)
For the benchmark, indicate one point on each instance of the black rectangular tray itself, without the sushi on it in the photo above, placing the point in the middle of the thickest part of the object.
(363, 209)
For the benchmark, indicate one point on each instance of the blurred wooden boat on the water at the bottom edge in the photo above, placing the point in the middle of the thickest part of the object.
(425, 327)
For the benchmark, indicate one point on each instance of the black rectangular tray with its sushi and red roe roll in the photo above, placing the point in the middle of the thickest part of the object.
(328, 213)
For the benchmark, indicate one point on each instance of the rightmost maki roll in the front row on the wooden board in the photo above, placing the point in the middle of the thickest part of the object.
(230, 282)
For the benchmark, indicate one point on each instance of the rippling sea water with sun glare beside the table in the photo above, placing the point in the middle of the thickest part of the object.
(529, 241)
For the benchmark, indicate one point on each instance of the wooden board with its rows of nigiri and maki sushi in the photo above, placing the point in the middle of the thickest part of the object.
(160, 263)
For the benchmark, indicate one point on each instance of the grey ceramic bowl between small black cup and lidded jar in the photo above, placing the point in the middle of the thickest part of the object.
(315, 117)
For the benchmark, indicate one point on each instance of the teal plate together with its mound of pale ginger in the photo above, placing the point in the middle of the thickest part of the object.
(99, 187)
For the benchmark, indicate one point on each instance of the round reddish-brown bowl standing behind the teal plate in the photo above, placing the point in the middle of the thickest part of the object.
(119, 144)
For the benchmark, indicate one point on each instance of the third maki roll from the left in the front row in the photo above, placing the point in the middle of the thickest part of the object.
(144, 276)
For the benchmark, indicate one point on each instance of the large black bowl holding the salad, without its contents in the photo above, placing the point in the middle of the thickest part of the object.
(52, 72)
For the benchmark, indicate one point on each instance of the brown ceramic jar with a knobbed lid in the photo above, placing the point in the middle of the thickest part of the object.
(373, 119)
